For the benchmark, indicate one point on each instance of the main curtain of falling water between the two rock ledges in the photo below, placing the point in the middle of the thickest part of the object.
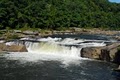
(52, 48)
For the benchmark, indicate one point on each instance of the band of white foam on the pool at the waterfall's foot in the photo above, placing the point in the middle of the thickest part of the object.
(35, 57)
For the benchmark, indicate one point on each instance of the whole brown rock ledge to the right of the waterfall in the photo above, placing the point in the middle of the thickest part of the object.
(106, 53)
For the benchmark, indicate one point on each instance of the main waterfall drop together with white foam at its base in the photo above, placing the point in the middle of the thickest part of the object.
(48, 51)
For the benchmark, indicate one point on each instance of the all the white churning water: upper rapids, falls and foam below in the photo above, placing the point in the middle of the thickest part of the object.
(66, 50)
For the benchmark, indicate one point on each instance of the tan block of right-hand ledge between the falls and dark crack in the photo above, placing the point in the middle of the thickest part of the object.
(91, 52)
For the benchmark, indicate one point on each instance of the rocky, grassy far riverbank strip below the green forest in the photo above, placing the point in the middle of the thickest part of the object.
(16, 34)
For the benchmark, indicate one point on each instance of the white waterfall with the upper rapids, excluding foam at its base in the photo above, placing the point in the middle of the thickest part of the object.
(56, 46)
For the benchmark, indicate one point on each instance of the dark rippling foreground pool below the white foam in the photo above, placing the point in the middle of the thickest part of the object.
(17, 69)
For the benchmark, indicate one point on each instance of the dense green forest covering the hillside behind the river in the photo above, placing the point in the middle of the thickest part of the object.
(53, 14)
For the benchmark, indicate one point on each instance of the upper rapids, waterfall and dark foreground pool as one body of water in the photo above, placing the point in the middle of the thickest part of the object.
(55, 59)
